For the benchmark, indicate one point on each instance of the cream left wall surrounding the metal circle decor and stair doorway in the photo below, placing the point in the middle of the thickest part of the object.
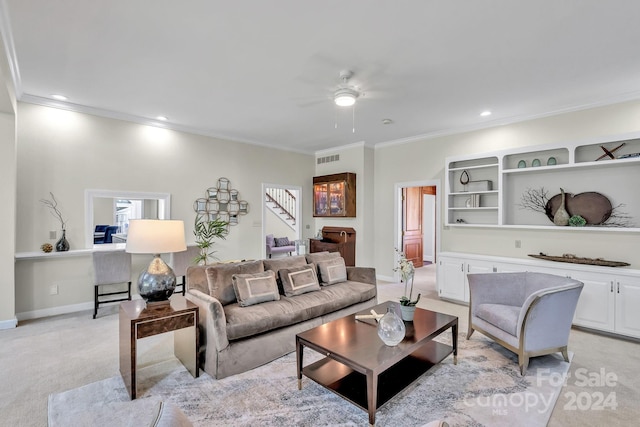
(66, 152)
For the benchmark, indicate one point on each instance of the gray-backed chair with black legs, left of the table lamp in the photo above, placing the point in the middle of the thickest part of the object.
(110, 268)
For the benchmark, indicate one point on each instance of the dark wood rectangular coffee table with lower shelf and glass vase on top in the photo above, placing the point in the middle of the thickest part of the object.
(360, 368)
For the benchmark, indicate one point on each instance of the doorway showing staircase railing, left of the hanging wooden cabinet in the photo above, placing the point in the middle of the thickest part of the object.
(281, 212)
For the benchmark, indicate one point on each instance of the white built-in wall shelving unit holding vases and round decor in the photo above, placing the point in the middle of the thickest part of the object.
(512, 173)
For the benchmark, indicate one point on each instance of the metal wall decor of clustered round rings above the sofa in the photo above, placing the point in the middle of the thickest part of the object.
(222, 203)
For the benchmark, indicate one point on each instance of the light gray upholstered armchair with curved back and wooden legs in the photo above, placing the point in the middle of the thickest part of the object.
(527, 313)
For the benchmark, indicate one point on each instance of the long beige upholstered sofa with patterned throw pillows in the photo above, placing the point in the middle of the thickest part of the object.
(244, 324)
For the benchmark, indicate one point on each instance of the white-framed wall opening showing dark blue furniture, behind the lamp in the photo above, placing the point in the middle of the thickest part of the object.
(107, 213)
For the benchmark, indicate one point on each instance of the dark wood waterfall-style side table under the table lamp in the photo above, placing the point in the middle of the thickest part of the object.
(137, 320)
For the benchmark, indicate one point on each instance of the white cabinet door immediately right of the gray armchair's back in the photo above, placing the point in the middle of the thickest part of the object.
(596, 306)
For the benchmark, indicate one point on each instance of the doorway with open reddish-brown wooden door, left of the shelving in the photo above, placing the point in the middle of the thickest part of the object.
(417, 220)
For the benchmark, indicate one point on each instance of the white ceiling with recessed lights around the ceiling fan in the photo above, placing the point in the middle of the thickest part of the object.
(263, 71)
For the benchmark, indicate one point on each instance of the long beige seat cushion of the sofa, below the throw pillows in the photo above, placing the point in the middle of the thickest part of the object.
(244, 322)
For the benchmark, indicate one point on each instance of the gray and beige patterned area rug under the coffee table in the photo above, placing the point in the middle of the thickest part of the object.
(483, 389)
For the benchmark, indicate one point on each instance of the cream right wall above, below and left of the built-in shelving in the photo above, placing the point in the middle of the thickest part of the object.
(425, 160)
